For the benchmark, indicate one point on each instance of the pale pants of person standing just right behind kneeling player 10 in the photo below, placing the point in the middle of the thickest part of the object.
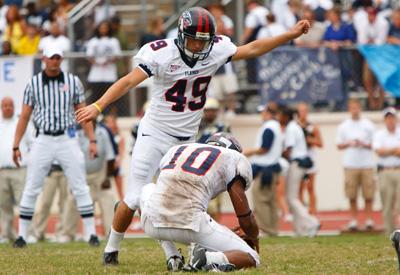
(302, 220)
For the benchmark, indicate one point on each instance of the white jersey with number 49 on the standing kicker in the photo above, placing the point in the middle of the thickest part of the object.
(179, 91)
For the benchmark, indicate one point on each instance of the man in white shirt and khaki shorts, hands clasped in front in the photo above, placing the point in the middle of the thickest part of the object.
(354, 136)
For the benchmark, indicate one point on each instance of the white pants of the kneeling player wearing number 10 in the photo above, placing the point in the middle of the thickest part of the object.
(211, 235)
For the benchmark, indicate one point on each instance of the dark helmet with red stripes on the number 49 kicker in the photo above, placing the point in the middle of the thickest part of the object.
(196, 23)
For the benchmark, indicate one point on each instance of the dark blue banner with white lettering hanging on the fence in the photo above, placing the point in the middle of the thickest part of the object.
(290, 75)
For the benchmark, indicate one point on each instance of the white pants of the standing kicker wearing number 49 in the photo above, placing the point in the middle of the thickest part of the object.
(151, 145)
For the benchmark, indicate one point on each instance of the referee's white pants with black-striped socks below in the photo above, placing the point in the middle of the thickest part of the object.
(66, 151)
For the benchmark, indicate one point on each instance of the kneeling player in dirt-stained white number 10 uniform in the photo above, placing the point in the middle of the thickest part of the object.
(175, 208)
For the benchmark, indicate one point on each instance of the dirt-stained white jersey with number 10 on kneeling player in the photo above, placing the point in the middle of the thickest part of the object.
(191, 175)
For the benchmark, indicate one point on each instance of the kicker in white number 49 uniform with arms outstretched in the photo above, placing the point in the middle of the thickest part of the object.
(182, 69)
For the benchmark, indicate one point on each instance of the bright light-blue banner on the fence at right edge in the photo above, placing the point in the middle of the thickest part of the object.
(384, 61)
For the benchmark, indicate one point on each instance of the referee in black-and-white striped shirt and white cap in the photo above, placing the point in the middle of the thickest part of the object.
(52, 96)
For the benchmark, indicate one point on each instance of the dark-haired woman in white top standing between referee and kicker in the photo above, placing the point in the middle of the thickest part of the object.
(102, 50)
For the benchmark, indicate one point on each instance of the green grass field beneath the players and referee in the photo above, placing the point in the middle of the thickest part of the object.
(347, 254)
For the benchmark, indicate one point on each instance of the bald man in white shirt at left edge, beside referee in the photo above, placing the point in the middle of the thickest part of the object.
(12, 179)
